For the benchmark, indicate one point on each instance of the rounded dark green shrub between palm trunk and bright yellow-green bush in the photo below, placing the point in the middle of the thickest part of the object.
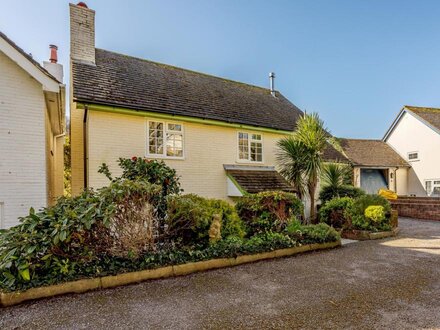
(333, 212)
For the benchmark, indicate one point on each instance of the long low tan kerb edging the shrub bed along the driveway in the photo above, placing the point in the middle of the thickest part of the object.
(84, 285)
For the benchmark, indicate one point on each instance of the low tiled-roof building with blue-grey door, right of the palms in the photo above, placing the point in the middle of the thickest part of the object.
(376, 166)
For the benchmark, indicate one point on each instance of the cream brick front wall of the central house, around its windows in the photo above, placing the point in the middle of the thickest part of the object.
(207, 148)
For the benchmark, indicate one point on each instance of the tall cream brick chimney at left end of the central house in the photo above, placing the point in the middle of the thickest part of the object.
(82, 33)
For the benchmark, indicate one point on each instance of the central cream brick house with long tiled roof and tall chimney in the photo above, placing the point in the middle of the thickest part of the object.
(220, 135)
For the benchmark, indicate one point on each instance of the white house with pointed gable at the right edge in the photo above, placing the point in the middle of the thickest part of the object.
(415, 136)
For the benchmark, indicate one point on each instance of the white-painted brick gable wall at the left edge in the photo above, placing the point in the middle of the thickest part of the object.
(22, 143)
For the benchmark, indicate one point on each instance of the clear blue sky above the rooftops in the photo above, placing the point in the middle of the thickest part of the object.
(355, 62)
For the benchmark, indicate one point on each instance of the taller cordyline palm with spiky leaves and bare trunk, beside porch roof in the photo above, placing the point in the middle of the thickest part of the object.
(300, 156)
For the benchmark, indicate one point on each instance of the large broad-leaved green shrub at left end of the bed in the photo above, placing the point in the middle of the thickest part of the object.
(50, 245)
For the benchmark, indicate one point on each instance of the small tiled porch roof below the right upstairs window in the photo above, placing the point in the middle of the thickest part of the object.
(254, 181)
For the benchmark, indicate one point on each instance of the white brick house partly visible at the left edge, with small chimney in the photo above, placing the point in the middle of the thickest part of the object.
(32, 124)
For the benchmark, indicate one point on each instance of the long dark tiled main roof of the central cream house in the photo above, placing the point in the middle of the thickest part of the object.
(129, 82)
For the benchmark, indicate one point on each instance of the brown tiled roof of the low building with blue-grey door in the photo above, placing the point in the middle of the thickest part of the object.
(371, 153)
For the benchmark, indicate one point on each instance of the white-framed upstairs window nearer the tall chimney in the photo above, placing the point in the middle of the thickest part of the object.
(165, 139)
